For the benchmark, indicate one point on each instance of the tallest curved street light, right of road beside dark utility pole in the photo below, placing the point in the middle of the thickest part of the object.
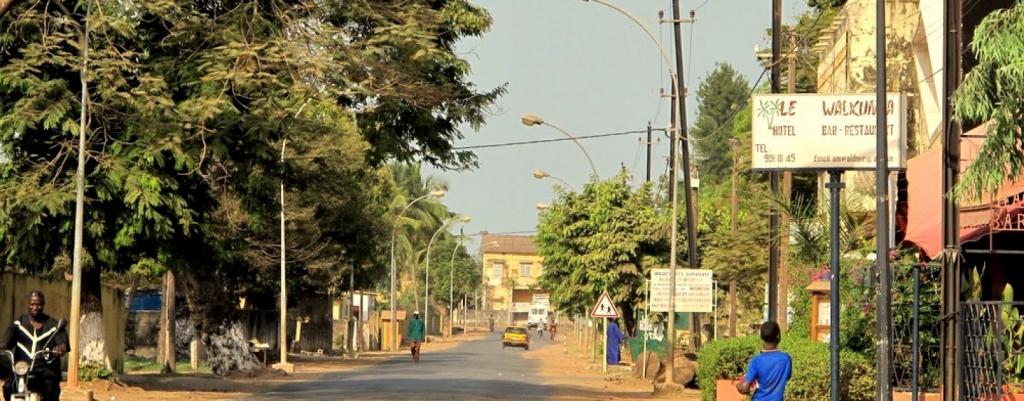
(691, 227)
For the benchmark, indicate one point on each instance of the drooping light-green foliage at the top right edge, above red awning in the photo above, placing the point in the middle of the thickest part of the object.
(994, 93)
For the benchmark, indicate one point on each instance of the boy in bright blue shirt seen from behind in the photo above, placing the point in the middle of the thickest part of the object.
(771, 371)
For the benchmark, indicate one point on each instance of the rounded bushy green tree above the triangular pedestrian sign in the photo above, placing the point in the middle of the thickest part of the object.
(607, 238)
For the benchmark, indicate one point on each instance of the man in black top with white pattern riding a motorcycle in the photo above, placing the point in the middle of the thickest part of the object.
(33, 333)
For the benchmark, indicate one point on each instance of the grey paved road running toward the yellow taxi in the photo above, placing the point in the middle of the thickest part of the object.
(473, 371)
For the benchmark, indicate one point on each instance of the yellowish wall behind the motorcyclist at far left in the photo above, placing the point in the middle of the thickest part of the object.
(14, 289)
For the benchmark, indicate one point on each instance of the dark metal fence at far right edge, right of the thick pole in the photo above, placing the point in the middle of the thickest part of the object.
(994, 349)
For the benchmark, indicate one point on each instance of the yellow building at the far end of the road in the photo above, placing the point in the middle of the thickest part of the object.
(511, 271)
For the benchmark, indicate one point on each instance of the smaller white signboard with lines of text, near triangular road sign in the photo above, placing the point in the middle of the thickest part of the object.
(695, 291)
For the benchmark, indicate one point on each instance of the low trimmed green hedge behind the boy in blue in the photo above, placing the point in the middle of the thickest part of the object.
(728, 360)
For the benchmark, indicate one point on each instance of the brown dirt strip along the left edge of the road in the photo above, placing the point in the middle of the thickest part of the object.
(201, 387)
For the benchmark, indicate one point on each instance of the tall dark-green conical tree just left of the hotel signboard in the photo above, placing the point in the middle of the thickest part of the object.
(721, 95)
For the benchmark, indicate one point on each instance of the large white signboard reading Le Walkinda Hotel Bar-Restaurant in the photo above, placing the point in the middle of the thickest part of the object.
(825, 132)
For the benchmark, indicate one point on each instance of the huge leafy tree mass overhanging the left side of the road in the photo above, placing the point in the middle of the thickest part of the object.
(192, 104)
